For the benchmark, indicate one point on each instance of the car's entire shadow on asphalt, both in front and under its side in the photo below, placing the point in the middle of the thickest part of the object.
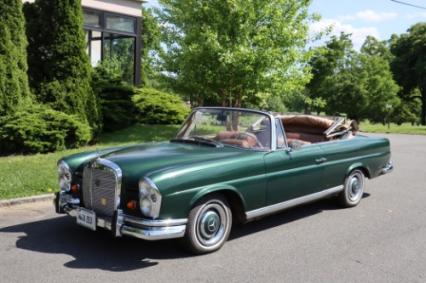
(99, 250)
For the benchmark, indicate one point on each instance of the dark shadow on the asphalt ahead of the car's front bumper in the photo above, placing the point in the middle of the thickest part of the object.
(98, 250)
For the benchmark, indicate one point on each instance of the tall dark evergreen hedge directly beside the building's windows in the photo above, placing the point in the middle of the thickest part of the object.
(59, 67)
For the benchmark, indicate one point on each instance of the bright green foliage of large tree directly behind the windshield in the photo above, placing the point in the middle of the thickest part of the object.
(226, 52)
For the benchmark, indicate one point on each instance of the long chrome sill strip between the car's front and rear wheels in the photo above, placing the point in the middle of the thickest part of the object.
(291, 203)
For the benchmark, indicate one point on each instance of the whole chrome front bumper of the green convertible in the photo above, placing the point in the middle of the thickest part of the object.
(122, 224)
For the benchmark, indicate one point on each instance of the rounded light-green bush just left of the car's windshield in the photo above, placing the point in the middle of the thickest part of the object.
(157, 107)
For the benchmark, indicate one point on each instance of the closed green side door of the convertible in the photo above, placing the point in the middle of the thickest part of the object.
(293, 173)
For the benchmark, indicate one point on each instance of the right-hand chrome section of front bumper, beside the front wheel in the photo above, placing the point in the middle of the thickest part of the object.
(158, 233)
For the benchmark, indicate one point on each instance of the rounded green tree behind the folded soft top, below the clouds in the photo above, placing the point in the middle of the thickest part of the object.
(359, 84)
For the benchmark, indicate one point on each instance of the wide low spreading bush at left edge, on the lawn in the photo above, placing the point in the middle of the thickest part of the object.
(38, 128)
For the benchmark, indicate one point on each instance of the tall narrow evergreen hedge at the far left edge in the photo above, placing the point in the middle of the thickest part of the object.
(13, 59)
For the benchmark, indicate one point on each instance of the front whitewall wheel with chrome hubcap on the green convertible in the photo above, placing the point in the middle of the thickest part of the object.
(209, 225)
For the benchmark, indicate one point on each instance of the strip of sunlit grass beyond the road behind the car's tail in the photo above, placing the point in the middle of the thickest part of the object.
(406, 128)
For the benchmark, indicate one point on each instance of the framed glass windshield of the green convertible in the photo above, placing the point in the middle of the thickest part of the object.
(232, 127)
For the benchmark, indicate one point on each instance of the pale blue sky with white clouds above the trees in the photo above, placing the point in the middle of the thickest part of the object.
(379, 18)
